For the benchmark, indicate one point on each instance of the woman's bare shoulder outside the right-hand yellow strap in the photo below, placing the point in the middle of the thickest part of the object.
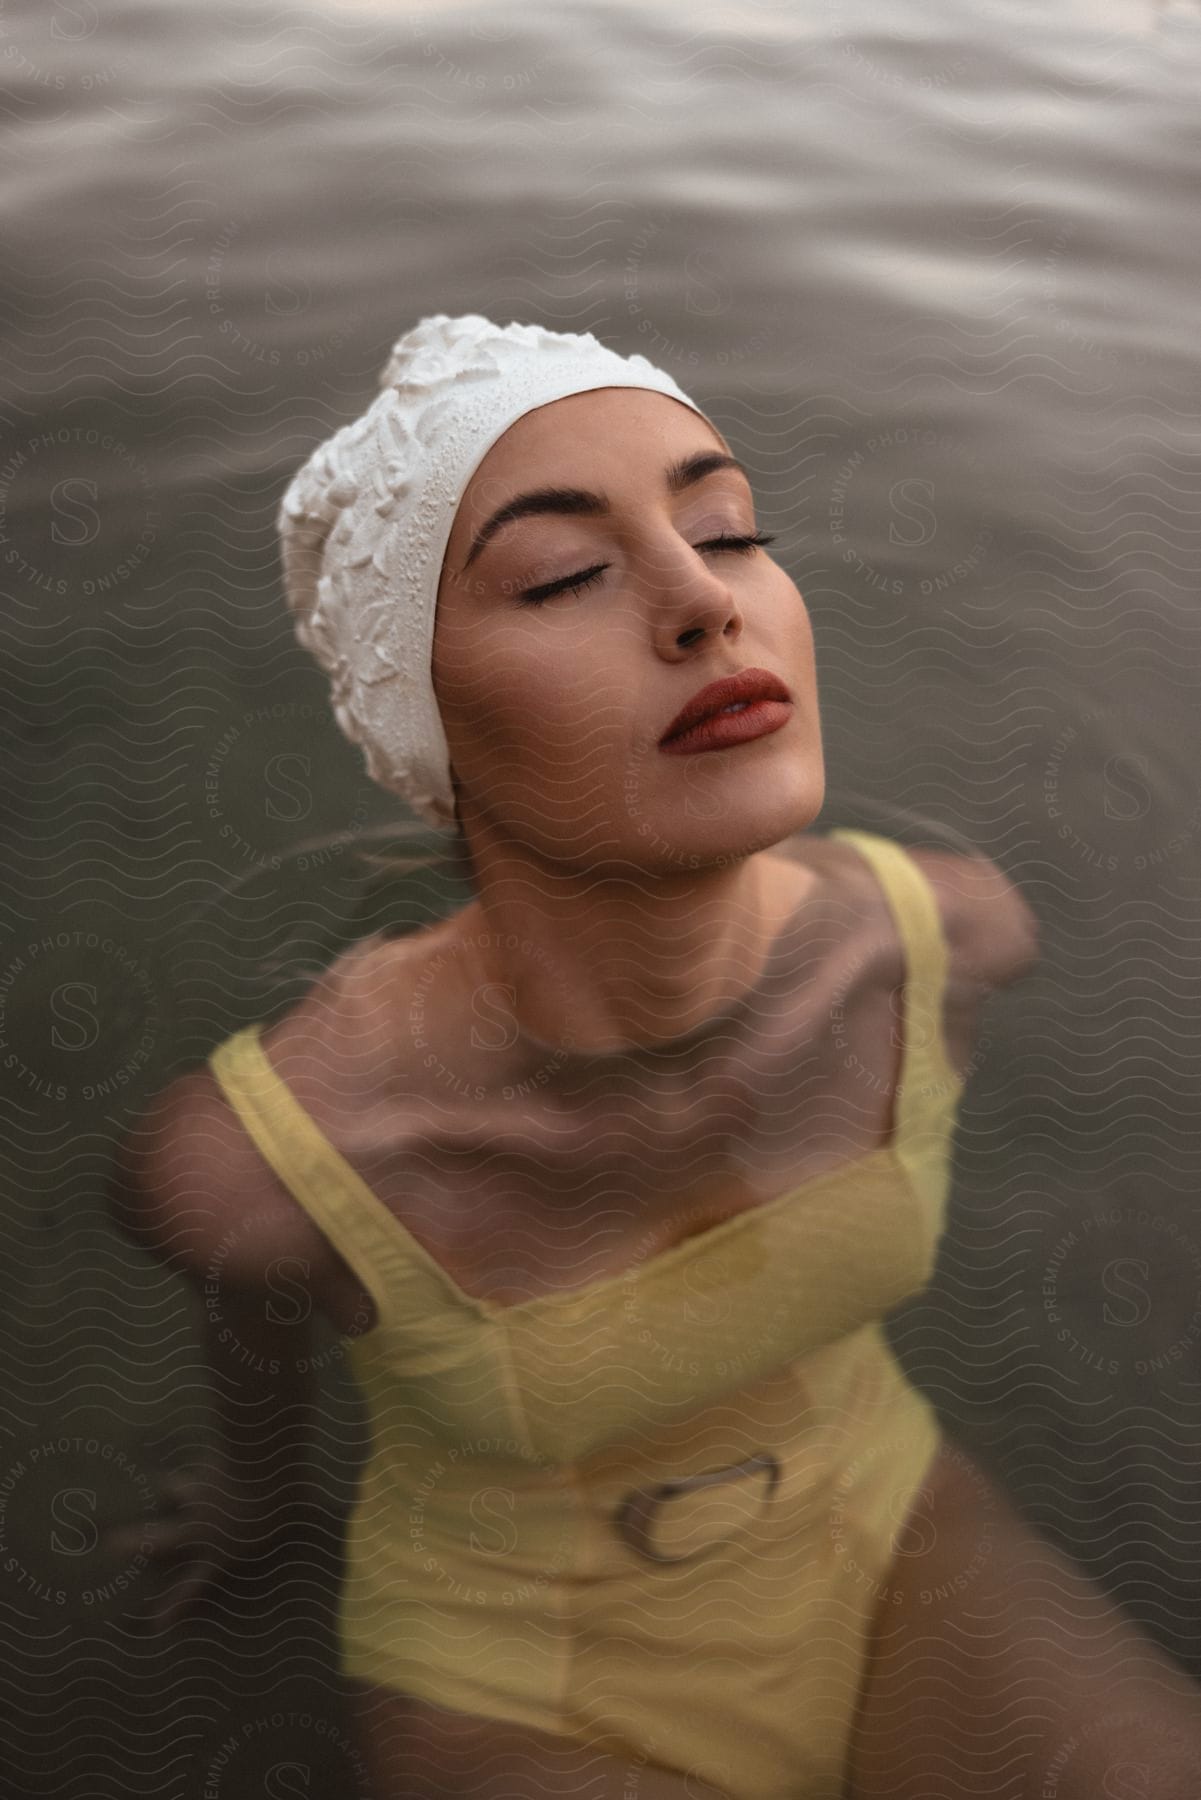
(991, 928)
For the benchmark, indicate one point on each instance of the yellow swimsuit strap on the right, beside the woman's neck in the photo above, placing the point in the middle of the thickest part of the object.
(928, 1075)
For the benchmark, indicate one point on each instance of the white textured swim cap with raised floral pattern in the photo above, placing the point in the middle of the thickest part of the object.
(366, 521)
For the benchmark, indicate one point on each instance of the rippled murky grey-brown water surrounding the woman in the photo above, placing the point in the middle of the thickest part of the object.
(934, 271)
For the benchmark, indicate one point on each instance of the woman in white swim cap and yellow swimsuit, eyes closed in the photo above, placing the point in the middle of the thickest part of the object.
(610, 1180)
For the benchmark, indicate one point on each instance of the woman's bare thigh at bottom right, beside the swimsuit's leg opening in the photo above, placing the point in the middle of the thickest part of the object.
(998, 1669)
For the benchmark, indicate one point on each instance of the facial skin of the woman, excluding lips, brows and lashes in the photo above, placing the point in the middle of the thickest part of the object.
(554, 712)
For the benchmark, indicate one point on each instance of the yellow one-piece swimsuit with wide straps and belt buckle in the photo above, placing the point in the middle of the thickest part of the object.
(655, 1515)
